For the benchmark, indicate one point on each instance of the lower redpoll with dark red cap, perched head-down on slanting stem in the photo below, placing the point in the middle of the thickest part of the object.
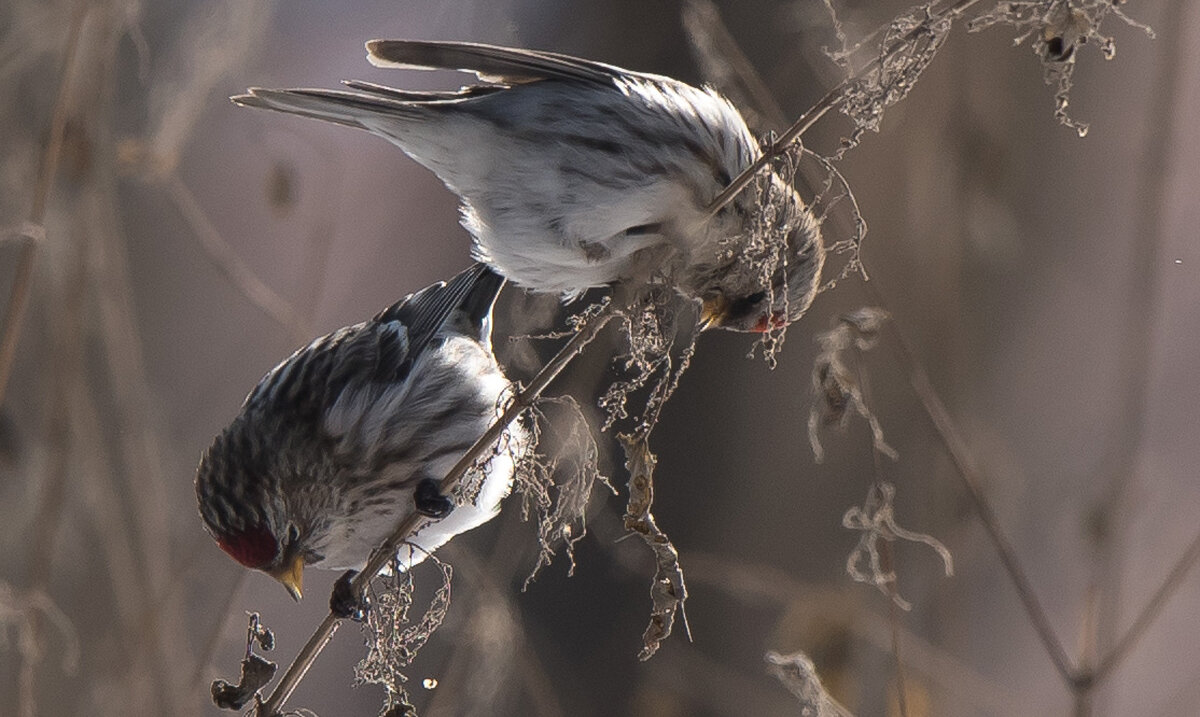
(351, 433)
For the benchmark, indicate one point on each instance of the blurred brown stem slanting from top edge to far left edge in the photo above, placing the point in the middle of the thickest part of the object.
(15, 314)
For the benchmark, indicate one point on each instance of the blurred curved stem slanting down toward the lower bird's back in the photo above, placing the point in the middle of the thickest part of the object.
(231, 264)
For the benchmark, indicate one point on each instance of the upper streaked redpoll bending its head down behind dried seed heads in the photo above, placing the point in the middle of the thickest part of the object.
(575, 174)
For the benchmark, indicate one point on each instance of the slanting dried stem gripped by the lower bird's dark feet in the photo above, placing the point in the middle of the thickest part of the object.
(411, 525)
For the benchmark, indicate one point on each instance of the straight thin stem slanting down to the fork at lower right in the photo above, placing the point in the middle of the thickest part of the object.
(973, 480)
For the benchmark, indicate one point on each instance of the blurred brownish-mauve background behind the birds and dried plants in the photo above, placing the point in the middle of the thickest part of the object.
(1048, 285)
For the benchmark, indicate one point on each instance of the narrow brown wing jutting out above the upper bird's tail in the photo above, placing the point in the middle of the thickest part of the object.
(490, 63)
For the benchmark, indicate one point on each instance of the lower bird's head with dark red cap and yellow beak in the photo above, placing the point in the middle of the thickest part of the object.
(248, 523)
